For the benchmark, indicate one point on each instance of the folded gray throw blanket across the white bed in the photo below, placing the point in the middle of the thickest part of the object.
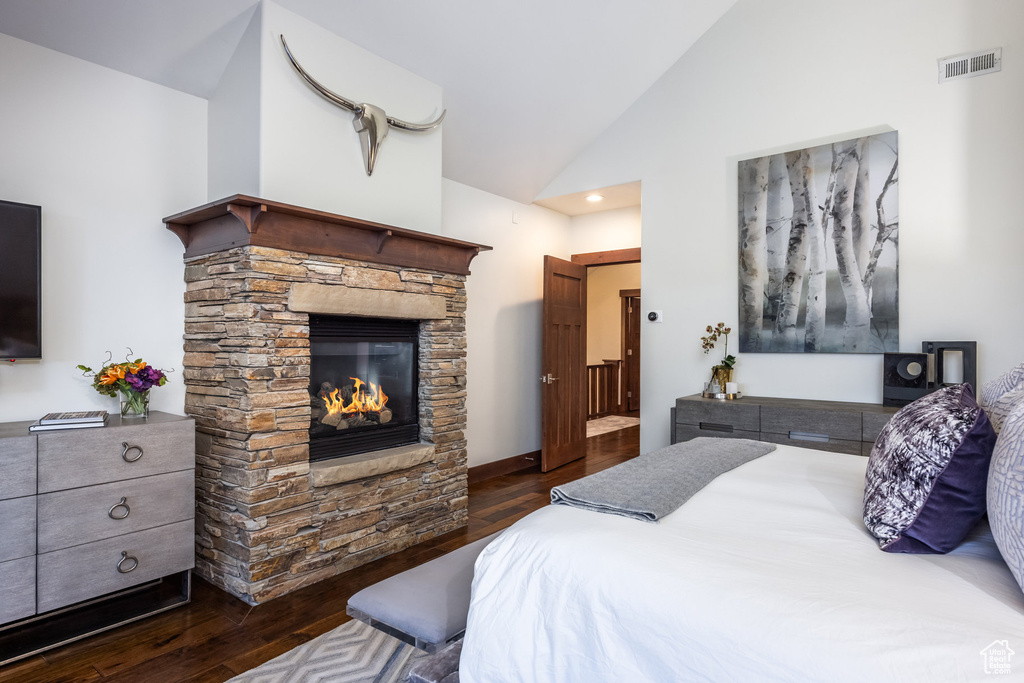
(652, 486)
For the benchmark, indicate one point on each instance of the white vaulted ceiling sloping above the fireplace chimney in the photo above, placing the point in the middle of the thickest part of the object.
(529, 84)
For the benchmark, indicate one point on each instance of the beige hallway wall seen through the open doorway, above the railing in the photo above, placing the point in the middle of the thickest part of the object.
(605, 310)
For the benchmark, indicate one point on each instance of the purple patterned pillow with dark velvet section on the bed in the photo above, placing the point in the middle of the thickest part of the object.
(925, 489)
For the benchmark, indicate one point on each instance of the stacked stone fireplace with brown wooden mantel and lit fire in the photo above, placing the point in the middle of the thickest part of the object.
(270, 519)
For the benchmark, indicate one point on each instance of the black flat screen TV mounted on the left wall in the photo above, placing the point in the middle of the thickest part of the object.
(21, 280)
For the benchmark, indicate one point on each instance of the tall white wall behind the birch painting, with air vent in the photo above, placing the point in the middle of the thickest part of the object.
(785, 75)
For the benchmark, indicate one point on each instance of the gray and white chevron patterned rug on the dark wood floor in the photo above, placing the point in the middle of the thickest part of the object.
(354, 653)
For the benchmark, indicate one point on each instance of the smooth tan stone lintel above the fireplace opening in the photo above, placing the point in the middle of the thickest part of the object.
(342, 301)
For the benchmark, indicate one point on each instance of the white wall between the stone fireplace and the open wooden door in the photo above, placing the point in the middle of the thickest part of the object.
(503, 318)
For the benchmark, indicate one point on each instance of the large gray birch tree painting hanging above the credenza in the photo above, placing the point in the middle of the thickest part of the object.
(819, 258)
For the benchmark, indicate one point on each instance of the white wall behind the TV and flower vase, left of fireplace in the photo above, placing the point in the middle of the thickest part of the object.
(107, 156)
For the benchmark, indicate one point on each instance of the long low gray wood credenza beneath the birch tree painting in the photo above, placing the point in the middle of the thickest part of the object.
(828, 425)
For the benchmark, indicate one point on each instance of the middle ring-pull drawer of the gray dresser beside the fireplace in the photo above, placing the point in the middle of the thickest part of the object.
(82, 516)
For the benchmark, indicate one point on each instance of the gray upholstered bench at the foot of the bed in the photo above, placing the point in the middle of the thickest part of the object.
(425, 607)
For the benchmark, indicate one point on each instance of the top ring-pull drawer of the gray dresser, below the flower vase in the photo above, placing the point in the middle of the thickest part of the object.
(71, 459)
